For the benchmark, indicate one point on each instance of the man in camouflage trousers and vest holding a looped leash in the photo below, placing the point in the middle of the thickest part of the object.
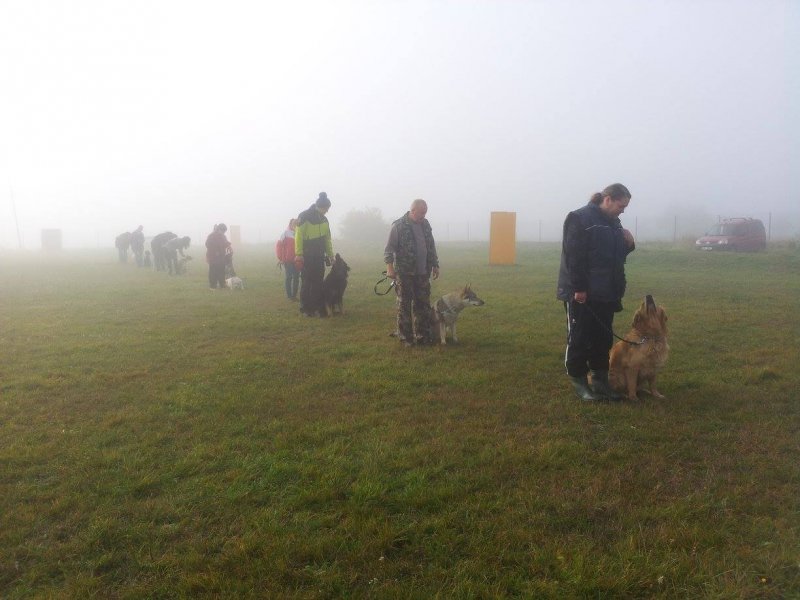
(411, 259)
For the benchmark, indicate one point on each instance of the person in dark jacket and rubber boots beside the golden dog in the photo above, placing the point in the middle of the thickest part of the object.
(591, 283)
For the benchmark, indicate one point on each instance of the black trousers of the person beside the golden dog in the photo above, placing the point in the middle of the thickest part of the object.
(589, 337)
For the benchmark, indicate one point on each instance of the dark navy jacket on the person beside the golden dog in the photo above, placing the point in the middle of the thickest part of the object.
(593, 253)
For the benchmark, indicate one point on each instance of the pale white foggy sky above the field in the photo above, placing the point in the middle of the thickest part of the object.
(177, 115)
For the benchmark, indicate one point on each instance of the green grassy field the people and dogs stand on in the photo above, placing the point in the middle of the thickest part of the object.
(158, 439)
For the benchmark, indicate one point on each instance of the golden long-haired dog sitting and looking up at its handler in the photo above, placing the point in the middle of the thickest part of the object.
(634, 367)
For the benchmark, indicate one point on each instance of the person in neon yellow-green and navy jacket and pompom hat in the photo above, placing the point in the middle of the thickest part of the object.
(313, 249)
